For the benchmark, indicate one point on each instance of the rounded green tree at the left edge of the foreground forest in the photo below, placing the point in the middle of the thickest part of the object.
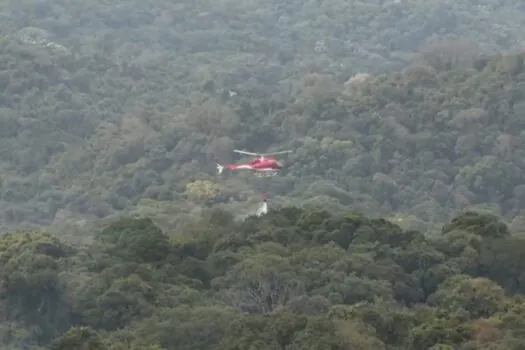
(30, 285)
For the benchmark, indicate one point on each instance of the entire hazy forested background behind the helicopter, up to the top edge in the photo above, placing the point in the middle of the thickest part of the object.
(127, 108)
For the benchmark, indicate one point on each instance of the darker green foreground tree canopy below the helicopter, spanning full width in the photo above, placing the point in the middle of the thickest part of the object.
(293, 279)
